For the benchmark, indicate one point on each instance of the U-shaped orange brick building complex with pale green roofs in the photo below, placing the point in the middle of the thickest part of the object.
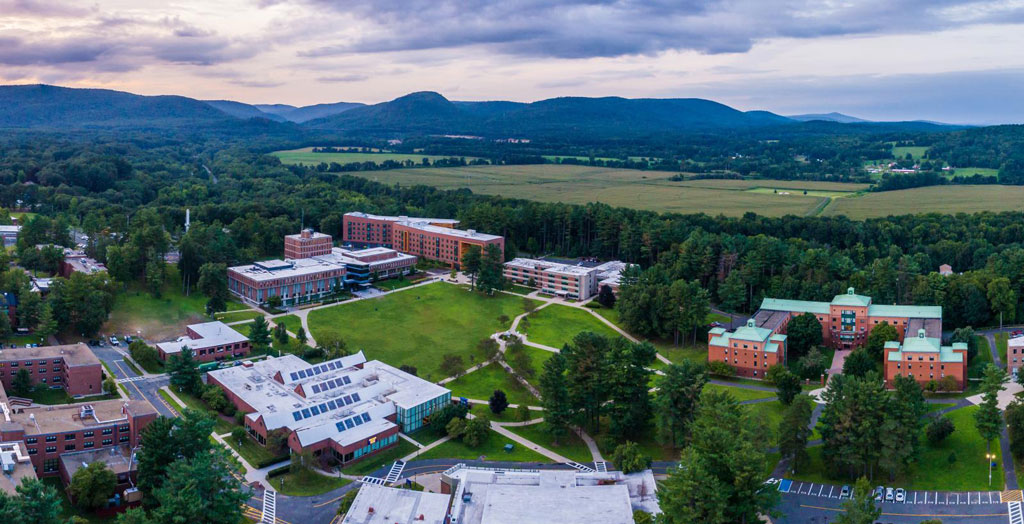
(846, 323)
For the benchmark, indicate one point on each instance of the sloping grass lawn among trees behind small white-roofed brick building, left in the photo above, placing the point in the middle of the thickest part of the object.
(159, 319)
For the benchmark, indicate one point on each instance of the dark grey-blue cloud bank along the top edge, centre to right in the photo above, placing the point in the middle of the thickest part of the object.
(579, 29)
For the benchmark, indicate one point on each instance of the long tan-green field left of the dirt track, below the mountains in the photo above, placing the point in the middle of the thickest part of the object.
(633, 189)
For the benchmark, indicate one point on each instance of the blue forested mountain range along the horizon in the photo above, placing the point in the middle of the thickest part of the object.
(45, 107)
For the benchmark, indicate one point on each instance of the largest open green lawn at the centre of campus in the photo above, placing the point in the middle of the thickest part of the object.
(420, 326)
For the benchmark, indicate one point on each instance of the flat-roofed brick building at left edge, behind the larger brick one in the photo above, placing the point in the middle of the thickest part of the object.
(73, 368)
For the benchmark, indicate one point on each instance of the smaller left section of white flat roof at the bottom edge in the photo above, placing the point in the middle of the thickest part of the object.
(380, 505)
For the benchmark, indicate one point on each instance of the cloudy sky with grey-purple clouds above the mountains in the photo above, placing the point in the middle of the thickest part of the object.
(951, 61)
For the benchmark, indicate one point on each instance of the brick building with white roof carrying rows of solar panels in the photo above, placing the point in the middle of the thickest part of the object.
(347, 408)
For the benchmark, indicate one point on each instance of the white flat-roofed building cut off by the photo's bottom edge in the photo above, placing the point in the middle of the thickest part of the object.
(486, 496)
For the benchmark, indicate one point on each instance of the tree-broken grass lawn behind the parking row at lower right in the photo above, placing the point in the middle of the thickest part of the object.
(933, 469)
